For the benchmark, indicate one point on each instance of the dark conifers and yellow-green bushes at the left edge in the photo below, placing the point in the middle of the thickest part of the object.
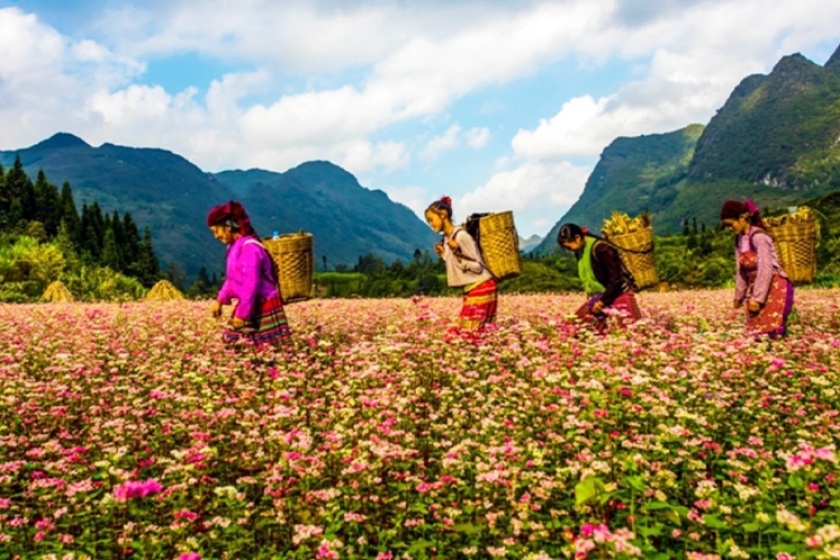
(43, 237)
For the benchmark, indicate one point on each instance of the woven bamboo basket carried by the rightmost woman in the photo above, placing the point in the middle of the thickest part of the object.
(796, 248)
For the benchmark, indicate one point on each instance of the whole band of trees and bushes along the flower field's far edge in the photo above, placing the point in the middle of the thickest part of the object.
(102, 256)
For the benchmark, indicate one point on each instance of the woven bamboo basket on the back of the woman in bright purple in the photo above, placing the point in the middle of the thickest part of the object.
(292, 253)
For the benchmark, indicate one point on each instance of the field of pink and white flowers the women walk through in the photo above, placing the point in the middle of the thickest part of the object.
(130, 431)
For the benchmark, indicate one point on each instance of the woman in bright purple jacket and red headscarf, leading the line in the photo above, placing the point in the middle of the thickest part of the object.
(258, 316)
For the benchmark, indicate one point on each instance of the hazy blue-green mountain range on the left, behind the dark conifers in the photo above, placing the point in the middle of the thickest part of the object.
(169, 194)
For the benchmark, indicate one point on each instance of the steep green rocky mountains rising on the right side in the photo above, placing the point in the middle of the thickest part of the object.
(775, 140)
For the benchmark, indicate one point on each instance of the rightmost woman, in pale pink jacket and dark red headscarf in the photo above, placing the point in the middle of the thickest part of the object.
(761, 286)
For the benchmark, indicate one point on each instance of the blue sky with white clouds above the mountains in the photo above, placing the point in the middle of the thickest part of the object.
(500, 105)
